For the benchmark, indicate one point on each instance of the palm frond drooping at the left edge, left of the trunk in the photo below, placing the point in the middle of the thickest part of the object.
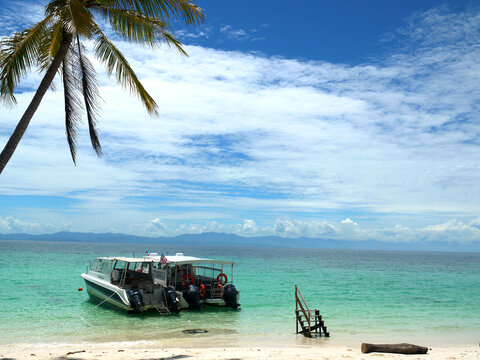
(18, 53)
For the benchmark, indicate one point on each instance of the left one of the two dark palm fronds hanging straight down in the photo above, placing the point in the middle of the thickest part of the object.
(73, 107)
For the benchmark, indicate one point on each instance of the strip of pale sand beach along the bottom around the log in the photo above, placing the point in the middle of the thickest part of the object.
(139, 351)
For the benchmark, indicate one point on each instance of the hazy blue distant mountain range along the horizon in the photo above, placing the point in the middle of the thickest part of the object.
(222, 239)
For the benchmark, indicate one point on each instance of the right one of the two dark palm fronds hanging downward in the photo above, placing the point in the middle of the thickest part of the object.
(91, 96)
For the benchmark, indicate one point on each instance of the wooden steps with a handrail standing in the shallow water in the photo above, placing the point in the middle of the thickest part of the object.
(310, 322)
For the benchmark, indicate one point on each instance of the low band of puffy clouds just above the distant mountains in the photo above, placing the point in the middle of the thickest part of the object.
(452, 231)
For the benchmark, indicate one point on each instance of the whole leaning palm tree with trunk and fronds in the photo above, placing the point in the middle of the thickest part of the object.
(54, 45)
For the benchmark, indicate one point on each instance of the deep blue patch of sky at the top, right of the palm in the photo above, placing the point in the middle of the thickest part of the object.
(350, 32)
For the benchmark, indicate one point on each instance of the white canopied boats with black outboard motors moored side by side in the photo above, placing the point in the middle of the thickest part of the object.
(165, 283)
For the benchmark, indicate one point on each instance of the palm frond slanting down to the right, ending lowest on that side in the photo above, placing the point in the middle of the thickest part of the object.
(116, 63)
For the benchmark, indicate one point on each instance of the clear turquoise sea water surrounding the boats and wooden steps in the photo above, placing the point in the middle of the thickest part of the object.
(362, 295)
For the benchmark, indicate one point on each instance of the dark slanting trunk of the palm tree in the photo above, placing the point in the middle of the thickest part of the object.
(37, 98)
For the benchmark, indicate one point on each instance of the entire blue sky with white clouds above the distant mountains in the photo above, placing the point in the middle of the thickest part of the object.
(352, 120)
